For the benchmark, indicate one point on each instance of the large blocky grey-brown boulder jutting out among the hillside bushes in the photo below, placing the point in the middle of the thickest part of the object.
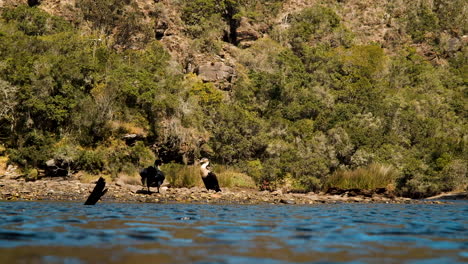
(216, 72)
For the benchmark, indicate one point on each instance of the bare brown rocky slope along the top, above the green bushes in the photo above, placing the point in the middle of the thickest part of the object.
(369, 21)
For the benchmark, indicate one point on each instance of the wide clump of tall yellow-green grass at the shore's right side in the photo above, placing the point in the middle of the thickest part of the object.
(371, 177)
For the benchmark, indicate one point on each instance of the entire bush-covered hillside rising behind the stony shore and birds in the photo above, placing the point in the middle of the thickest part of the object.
(324, 93)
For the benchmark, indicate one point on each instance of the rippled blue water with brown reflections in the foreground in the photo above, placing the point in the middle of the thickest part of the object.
(56, 232)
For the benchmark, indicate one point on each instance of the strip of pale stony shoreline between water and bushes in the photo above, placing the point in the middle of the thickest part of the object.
(59, 189)
